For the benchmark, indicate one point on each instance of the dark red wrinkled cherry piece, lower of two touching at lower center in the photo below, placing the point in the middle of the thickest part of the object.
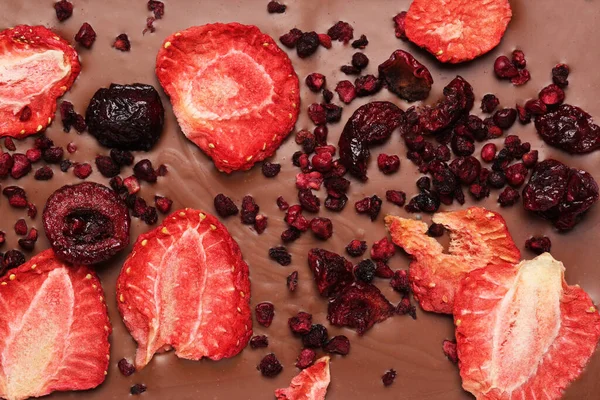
(359, 306)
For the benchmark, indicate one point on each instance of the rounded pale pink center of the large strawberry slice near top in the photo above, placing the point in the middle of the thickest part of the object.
(230, 86)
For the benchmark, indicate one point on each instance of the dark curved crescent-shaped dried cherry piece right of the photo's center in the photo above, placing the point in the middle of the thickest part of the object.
(372, 123)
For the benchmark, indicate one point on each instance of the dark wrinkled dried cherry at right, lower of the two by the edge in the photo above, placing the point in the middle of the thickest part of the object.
(559, 193)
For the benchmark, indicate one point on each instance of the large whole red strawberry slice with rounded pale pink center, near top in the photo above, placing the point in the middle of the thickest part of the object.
(234, 91)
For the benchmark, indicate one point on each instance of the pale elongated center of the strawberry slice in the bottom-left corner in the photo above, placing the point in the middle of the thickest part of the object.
(34, 350)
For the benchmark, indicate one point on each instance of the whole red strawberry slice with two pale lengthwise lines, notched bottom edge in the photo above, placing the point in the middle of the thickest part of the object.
(185, 286)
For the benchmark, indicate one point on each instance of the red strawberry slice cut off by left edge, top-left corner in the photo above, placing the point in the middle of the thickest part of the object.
(37, 67)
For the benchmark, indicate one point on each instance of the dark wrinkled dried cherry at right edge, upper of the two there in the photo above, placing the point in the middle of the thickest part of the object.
(569, 128)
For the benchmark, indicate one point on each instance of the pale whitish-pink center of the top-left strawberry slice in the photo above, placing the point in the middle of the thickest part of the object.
(26, 76)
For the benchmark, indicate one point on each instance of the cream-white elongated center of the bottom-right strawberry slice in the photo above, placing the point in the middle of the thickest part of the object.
(528, 323)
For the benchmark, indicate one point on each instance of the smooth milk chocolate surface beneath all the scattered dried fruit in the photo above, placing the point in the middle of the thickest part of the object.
(549, 32)
